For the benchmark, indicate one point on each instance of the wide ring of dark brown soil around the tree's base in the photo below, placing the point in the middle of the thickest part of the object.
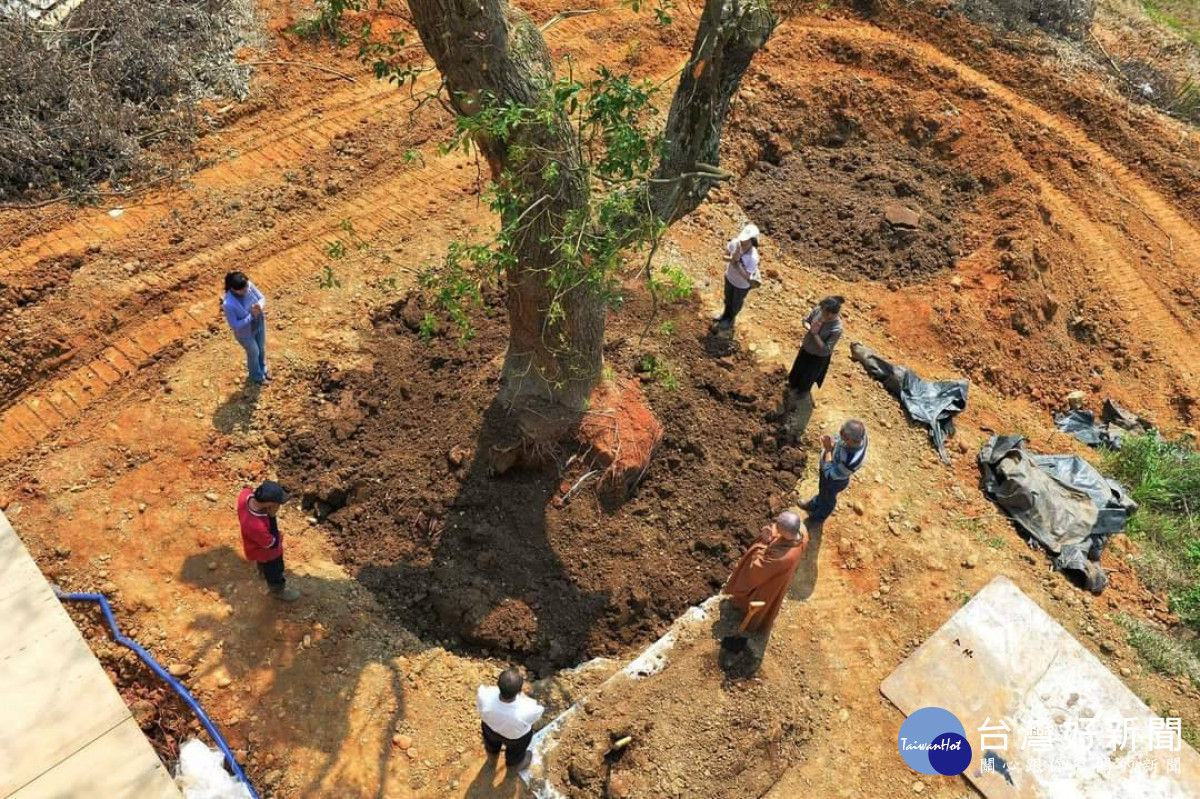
(501, 564)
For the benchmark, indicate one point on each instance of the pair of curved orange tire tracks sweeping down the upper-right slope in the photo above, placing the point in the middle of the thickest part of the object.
(1135, 289)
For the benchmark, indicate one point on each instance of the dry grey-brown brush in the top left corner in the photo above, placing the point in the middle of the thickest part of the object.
(80, 103)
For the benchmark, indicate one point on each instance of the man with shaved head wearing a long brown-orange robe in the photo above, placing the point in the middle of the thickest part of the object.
(767, 567)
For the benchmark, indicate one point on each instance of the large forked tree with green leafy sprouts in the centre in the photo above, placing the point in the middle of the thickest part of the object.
(557, 242)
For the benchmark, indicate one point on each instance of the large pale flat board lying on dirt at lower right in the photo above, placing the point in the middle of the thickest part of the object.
(1027, 671)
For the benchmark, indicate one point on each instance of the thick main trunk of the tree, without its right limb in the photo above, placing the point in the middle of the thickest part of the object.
(489, 49)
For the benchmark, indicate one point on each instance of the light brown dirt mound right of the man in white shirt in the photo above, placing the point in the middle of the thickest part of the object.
(695, 734)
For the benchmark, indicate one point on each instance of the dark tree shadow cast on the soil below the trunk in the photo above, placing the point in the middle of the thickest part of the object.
(490, 575)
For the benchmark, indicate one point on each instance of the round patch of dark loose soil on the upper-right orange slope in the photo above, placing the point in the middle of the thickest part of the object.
(878, 211)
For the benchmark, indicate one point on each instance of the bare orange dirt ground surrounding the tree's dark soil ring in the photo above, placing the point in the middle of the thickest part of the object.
(127, 432)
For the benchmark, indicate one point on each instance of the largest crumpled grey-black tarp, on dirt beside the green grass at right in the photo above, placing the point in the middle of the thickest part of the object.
(1061, 501)
